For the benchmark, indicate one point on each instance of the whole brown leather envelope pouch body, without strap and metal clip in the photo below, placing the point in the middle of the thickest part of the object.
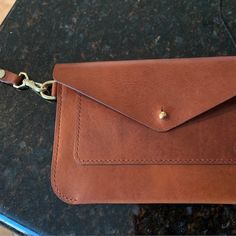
(103, 156)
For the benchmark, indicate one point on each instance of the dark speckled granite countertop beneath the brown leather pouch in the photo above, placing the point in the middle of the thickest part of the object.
(38, 34)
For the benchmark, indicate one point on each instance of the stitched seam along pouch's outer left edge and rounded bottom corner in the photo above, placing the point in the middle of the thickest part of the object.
(63, 196)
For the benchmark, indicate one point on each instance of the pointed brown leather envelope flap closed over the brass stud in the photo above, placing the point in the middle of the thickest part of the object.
(141, 89)
